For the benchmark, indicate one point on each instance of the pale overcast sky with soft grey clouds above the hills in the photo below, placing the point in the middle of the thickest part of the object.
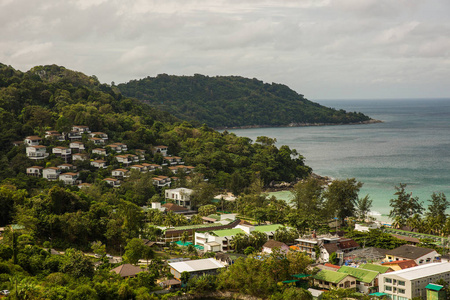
(323, 49)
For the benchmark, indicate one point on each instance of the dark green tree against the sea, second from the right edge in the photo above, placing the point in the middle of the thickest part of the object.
(404, 205)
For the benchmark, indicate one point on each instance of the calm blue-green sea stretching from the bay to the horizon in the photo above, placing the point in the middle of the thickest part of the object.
(410, 146)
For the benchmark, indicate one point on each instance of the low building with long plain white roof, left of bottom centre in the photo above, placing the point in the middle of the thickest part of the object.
(195, 267)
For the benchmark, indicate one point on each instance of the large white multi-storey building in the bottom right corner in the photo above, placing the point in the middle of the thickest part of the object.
(412, 282)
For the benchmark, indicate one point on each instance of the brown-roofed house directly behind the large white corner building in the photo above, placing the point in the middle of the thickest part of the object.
(418, 254)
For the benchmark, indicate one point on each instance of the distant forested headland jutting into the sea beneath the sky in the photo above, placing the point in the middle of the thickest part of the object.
(233, 101)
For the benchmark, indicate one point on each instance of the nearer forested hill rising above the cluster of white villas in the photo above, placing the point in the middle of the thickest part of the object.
(55, 98)
